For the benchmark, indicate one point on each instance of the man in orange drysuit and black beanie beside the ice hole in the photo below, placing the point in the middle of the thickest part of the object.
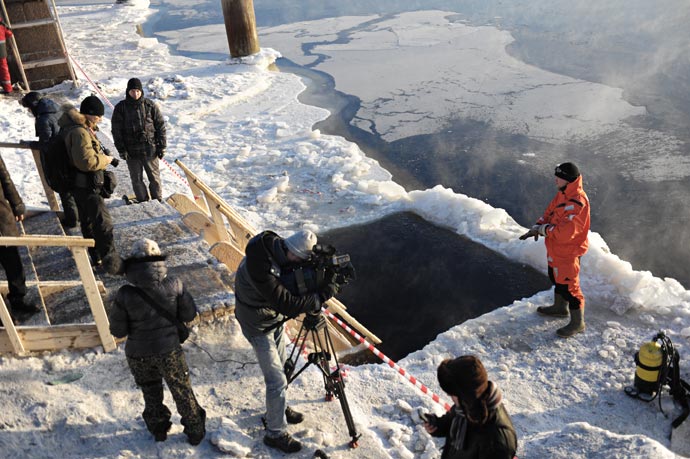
(565, 226)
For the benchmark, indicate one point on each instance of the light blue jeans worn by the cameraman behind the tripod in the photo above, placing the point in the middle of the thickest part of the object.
(270, 351)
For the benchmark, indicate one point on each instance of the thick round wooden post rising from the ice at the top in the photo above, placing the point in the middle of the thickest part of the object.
(240, 27)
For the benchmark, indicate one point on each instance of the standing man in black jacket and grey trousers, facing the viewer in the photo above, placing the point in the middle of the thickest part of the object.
(139, 134)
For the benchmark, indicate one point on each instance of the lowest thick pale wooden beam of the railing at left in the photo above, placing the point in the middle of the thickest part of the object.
(56, 337)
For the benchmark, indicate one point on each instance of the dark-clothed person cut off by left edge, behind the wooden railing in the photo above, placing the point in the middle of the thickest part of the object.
(11, 211)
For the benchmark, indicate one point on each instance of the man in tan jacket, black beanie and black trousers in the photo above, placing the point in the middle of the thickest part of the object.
(87, 156)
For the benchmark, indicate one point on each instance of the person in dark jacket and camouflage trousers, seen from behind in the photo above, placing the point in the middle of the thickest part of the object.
(153, 347)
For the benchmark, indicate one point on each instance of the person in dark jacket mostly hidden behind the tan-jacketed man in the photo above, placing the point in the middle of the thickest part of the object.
(47, 114)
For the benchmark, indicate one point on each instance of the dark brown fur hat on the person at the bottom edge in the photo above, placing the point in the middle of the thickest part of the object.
(464, 377)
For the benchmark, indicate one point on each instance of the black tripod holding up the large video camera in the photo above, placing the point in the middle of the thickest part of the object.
(314, 327)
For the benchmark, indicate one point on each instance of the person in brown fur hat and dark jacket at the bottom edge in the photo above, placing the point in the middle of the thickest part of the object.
(478, 425)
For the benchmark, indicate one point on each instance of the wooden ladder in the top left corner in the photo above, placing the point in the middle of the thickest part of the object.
(53, 19)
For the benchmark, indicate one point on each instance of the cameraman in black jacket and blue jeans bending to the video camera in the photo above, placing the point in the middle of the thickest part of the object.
(262, 305)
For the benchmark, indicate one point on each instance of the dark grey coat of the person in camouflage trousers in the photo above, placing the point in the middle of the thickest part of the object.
(147, 332)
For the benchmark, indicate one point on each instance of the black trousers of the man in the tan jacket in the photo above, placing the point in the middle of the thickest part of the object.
(96, 222)
